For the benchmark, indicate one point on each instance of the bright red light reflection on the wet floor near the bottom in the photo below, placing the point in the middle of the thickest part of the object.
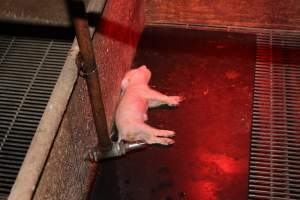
(218, 171)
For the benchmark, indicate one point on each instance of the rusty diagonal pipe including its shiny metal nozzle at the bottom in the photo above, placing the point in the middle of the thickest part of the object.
(87, 66)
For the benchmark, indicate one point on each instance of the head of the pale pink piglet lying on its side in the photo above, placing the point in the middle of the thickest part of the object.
(139, 76)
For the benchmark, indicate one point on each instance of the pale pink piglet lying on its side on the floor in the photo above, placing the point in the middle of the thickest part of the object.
(131, 112)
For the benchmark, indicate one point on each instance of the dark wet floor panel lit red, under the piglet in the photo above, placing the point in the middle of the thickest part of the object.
(214, 71)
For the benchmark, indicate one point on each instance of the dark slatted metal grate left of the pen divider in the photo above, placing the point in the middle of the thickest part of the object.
(29, 69)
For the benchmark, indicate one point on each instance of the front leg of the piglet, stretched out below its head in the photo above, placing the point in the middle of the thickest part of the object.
(156, 99)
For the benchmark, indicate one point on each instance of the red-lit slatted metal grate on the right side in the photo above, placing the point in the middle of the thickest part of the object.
(275, 143)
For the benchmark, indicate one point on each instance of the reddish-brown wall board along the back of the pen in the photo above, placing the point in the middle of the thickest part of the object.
(242, 13)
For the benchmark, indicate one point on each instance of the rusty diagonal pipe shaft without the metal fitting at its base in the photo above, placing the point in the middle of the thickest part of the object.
(90, 72)
